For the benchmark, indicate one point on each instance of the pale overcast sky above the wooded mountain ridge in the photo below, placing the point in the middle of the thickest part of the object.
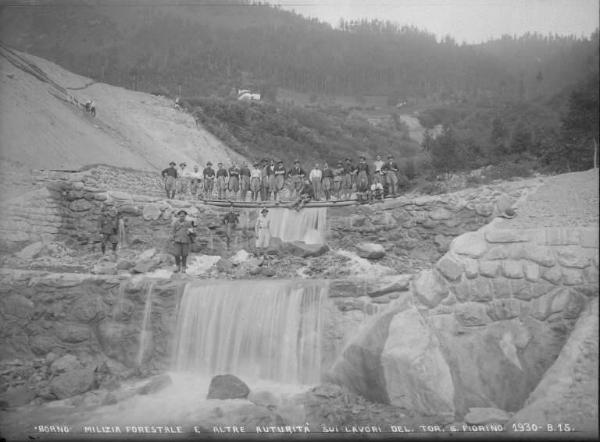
(471, 21)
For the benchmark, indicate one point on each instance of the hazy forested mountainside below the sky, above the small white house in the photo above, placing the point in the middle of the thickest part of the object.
(209, 48)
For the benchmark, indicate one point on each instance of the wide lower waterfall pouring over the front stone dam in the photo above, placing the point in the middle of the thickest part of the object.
(253, 329)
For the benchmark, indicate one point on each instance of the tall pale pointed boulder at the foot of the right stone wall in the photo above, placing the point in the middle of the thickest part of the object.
(416, 374)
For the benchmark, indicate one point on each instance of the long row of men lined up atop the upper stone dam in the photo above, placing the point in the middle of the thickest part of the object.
(265, 180)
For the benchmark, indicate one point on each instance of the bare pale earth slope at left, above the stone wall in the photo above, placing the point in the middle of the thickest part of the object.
(41, 125)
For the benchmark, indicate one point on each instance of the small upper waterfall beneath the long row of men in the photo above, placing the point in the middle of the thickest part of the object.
(308, 225)
